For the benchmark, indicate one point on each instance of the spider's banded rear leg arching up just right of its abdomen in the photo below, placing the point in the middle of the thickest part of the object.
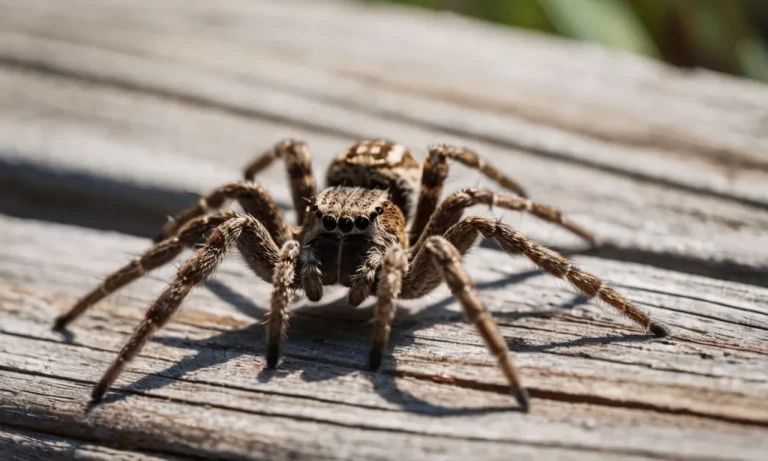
(435, 172)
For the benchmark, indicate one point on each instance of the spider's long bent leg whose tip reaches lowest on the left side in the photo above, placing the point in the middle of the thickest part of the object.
(193, 273)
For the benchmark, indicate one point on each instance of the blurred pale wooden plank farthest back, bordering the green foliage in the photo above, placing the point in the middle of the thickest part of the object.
(704, 133)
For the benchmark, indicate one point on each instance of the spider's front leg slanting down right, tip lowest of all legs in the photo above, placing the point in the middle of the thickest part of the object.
(446, 258)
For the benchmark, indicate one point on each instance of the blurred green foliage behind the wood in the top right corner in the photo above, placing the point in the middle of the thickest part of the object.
(724, 35)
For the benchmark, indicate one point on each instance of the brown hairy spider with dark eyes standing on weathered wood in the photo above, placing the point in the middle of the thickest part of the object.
(352, 233)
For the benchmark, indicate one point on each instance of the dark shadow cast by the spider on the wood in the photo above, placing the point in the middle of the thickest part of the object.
(324, 336)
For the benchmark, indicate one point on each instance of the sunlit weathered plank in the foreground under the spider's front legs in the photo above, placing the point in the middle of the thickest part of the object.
(599, 390)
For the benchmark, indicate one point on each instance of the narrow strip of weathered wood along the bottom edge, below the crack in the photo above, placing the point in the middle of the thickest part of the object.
(233, 433)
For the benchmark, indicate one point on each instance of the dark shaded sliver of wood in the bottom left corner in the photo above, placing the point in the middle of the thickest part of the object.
(23, 445)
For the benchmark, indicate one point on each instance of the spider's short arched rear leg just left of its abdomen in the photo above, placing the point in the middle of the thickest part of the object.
(298, 165)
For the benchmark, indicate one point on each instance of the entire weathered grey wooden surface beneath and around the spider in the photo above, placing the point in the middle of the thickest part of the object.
(114, 114)
